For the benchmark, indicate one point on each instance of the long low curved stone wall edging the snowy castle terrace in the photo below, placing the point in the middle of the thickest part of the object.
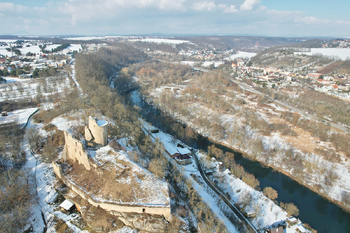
(113, 208)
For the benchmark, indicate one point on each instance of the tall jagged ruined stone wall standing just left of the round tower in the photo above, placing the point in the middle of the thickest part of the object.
(74, 150)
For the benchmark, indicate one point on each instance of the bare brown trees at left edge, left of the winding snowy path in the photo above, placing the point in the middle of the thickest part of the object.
(16, 183)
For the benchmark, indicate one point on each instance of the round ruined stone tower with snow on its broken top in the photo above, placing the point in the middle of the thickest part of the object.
(97, 131)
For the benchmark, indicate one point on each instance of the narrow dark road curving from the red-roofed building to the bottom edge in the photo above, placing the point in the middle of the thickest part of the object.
(223, 198)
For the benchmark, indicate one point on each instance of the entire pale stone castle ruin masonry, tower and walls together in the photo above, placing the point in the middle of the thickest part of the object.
(96, 133)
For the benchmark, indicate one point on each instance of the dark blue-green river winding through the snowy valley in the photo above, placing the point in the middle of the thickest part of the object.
(318, 212)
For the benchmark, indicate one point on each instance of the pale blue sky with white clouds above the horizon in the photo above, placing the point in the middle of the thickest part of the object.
(298, 18)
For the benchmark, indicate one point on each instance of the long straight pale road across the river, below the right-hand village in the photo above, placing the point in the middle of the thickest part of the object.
(299, 111)
